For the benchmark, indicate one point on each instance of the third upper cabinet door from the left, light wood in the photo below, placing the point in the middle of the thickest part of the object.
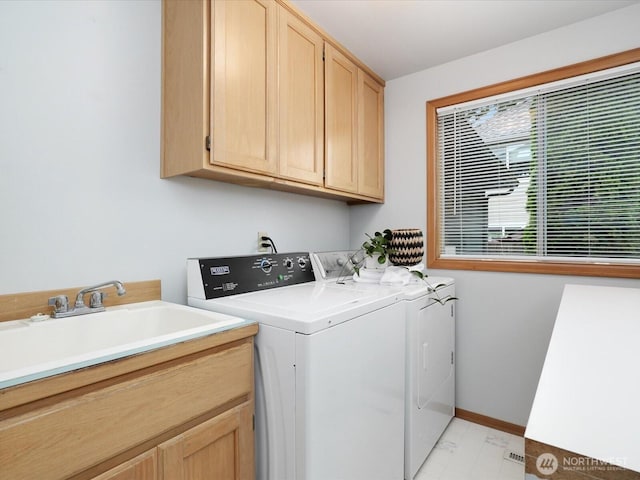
(341, 116)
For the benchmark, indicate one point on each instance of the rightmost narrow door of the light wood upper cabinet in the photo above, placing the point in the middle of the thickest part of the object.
(370, 136)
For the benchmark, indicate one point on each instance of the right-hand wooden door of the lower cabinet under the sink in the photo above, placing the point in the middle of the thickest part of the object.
(220, 448)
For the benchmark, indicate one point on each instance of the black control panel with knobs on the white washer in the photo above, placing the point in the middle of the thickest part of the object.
(224, 276)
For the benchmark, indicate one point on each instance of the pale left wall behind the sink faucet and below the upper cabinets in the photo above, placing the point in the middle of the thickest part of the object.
(81, 199)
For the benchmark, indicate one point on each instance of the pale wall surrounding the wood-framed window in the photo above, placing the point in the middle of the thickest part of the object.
(504, 320)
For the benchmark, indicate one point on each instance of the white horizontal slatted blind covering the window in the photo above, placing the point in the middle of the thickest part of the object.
(549, 172)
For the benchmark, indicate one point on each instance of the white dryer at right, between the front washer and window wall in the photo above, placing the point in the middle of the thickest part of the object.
(430, 349)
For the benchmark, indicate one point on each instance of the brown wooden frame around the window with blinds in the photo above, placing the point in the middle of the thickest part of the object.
(580, 267)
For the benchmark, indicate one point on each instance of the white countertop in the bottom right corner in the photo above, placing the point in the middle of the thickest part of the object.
(588, 397)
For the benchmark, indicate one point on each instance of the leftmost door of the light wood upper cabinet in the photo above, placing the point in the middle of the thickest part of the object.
(244, 85)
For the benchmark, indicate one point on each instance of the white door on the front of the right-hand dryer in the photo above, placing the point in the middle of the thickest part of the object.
(435, 346)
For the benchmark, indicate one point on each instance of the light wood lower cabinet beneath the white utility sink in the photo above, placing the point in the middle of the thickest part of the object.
(184, 412)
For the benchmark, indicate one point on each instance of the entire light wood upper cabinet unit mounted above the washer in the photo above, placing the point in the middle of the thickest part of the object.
(245, 94)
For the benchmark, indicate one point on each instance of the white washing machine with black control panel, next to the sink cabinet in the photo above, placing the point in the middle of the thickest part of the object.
(330, 366)
